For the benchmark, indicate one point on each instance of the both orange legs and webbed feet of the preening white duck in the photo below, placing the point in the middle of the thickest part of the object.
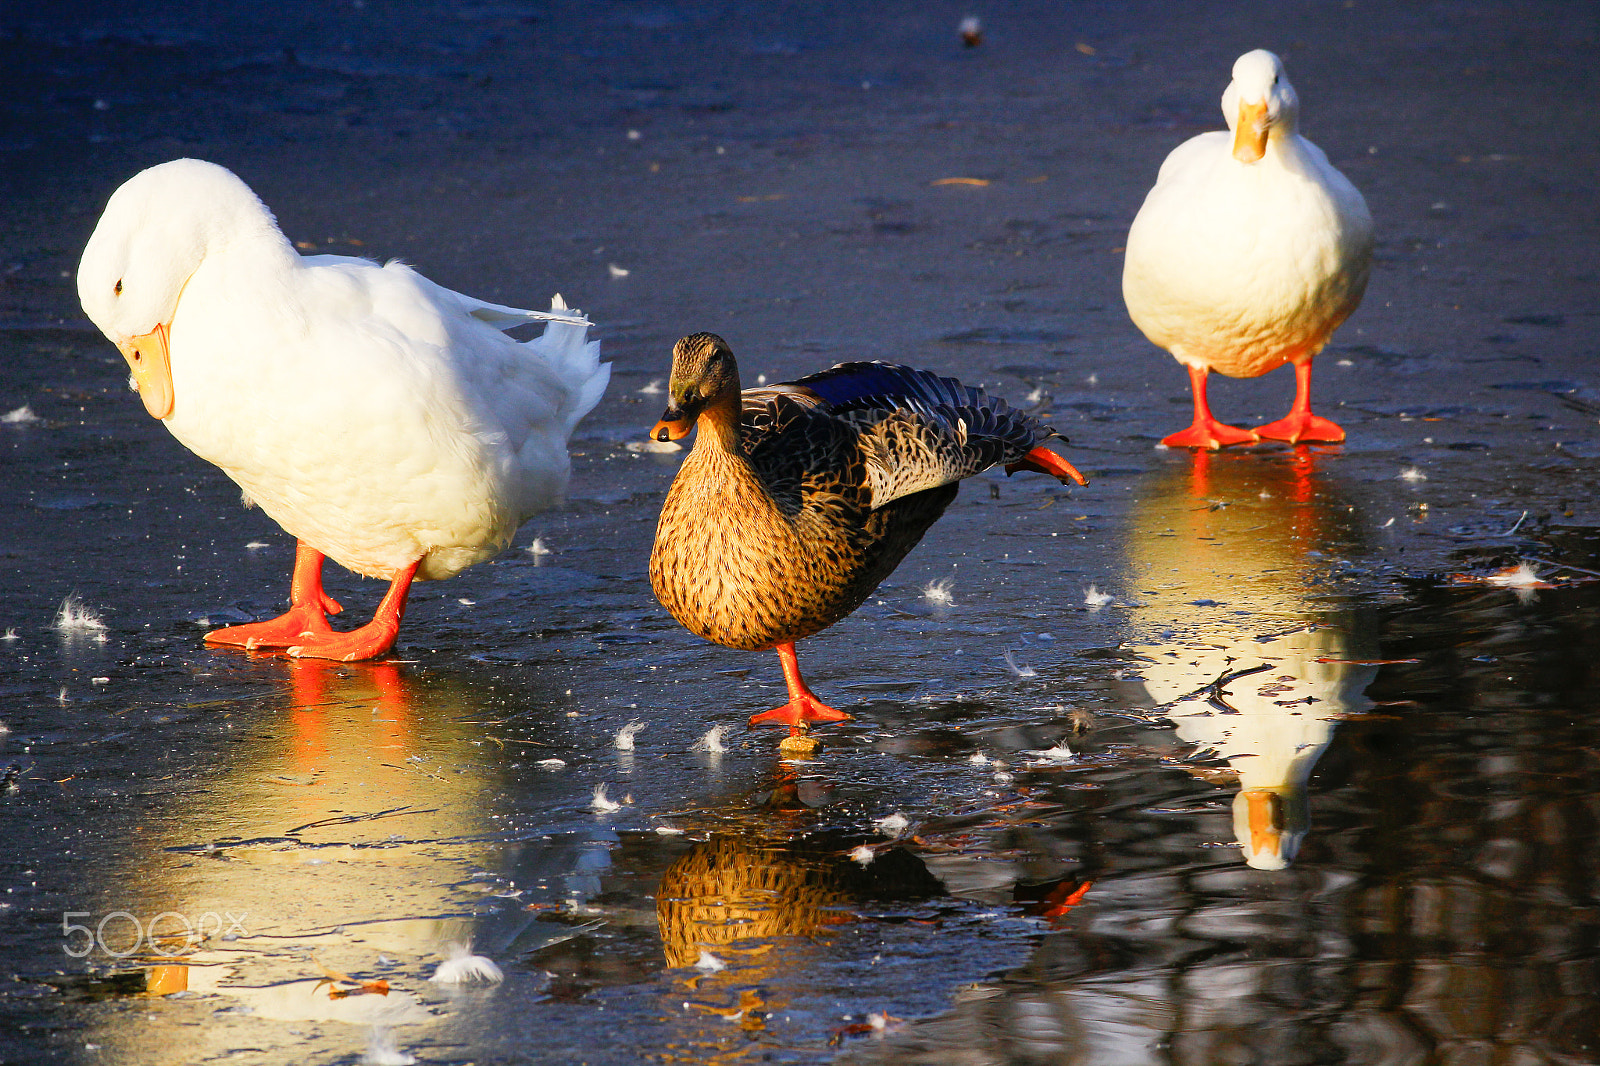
(305, 631)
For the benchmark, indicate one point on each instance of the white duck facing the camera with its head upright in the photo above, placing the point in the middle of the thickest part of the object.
(1249, 254)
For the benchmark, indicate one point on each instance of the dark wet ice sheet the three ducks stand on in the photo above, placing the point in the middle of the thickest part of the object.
(1070, 881)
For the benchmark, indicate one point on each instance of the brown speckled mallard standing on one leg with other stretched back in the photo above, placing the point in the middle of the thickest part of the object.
(799, 499)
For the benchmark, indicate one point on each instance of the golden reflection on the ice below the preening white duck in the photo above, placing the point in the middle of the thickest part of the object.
(350, 841)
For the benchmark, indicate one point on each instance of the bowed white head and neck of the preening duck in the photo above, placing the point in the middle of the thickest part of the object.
(156, 231)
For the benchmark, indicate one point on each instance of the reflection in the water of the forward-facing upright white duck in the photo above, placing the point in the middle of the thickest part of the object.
(1244, 651)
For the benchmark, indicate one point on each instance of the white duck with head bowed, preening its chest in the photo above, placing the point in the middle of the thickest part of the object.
(380, 419)
